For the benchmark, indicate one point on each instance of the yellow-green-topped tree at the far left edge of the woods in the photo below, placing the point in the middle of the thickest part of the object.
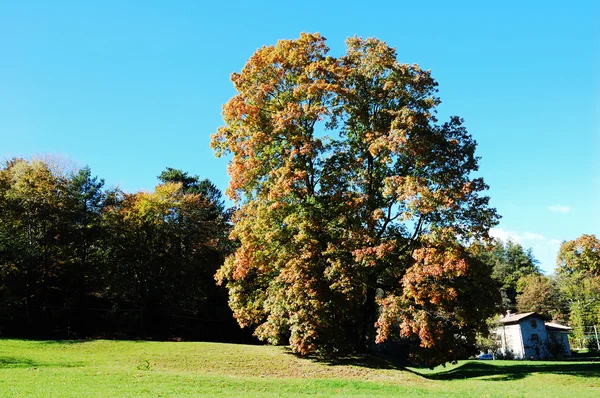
(32, 239)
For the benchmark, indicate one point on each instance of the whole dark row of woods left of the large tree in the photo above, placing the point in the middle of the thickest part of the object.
(78, 259)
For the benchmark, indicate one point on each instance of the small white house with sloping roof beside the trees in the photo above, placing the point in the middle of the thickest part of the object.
(528, 336)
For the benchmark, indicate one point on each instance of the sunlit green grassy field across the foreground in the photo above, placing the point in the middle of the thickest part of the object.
(103, 368)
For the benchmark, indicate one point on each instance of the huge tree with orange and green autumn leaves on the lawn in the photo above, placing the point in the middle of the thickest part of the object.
(353, 203)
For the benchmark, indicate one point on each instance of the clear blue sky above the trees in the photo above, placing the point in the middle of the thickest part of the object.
(132, 87)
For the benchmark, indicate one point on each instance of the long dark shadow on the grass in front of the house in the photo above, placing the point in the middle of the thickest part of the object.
(513, 371)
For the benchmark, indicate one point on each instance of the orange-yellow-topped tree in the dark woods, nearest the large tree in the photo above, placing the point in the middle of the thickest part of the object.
(166, 246)
